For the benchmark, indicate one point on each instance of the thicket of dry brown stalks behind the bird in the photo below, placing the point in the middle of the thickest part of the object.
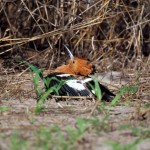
(114, 34)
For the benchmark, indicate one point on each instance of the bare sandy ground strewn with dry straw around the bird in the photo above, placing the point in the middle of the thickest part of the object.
(17, 93)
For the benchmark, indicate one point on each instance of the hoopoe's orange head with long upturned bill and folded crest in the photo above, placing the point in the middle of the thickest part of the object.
(80, 66)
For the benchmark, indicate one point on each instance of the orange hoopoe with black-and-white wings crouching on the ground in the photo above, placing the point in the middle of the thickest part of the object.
(73, 79)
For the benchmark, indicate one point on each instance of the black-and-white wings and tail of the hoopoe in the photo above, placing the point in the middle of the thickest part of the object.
(69, 85)
